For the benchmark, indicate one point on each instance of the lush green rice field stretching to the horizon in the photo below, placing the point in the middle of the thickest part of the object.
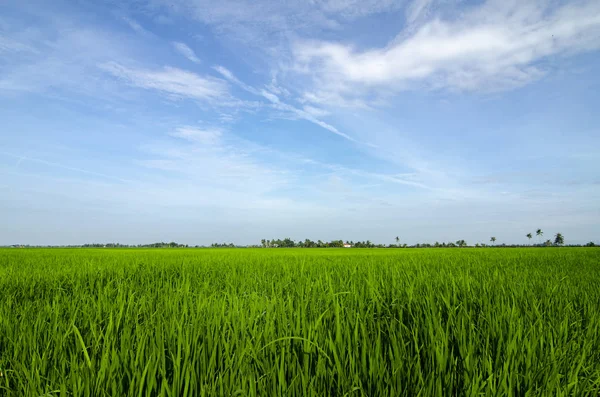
(312, 322)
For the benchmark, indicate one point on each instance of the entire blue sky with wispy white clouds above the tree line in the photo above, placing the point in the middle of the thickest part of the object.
(199, 121)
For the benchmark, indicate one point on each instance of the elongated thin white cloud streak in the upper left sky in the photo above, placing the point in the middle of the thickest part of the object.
(171, 81)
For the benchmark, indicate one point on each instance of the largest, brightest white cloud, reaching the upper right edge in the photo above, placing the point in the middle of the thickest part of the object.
(495, 46)
